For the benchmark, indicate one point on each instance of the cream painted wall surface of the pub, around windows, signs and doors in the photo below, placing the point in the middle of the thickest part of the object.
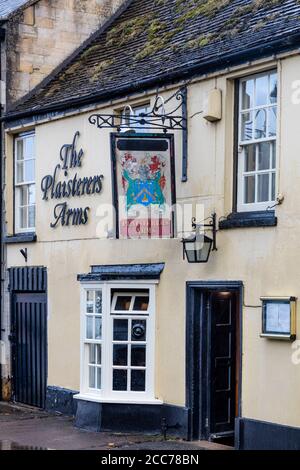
(265, 259)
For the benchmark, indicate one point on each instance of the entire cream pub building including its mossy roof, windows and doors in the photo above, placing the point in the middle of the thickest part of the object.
(121, 309)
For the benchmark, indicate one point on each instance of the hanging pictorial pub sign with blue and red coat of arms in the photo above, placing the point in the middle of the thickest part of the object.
(144, 185)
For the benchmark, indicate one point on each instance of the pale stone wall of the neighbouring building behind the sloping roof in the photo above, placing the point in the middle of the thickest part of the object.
(44, 34)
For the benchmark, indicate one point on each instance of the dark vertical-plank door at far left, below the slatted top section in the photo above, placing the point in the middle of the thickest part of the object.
(29, 347)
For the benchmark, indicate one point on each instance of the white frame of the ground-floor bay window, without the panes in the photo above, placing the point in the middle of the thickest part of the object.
(107, 394)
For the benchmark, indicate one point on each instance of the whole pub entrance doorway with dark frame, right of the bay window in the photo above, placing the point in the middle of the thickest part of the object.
(213, 359)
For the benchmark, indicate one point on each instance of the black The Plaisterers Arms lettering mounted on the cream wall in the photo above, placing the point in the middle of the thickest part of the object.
(62, 185)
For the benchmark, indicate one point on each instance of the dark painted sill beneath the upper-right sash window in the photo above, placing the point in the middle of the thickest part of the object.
(249, 219)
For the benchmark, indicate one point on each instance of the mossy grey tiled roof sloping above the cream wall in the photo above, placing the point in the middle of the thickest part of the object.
(152, 42)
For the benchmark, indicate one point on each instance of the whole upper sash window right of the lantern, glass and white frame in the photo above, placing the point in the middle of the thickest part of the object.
(257, 142)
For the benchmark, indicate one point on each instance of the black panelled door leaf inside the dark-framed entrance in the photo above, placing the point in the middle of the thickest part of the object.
(222, 363)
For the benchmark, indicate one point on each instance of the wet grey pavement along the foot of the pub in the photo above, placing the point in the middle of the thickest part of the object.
(27, 428)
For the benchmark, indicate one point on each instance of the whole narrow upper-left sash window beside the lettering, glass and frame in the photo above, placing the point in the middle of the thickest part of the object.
(24, 155)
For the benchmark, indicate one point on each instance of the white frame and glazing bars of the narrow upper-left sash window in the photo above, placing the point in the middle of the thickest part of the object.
(18, 186)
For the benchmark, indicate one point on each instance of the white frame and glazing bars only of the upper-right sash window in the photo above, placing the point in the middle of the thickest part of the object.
(256, 206)
